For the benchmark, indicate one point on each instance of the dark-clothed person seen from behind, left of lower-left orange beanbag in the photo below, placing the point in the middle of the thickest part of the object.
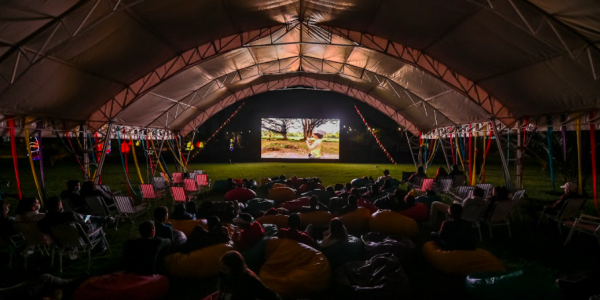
(145, 255)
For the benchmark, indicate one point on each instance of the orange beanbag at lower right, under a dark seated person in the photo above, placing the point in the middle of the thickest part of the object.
(460, 262)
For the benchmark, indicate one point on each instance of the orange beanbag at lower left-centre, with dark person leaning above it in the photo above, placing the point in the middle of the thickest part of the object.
(198, 264)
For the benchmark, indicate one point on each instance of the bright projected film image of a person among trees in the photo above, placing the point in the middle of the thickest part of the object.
(300, 138)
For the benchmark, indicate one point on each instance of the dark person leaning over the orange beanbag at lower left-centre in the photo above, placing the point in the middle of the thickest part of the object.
(201, 238)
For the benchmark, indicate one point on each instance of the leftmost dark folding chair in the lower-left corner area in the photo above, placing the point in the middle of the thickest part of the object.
(35, 240)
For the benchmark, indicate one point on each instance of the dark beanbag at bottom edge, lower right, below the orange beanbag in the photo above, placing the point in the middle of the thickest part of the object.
(522, 284)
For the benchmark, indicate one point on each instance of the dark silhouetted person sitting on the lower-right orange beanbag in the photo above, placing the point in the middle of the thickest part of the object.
(455, 233)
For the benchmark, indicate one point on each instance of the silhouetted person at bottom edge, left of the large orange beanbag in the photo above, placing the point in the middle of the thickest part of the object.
(237, 282)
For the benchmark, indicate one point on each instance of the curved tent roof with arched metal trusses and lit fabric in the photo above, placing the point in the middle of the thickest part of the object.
(173, 64)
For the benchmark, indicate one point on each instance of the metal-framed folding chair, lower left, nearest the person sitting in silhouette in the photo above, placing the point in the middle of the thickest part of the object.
(72, 239)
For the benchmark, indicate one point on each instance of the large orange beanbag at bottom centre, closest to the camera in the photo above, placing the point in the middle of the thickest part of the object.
(293, 268)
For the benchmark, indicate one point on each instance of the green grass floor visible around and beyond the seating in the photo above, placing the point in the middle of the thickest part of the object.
(529, 247)
